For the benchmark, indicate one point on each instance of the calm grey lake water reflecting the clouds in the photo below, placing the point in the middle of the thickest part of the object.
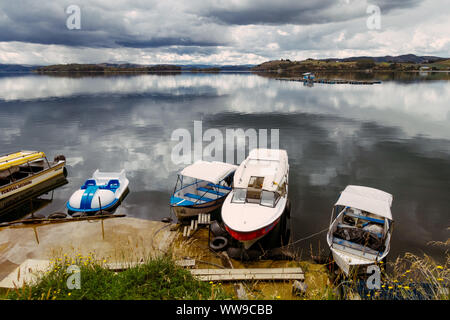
(394, 136)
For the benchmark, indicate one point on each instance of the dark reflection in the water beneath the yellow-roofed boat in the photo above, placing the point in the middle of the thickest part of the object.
(31, 200)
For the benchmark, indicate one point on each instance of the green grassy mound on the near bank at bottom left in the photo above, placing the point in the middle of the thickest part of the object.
(156, 279)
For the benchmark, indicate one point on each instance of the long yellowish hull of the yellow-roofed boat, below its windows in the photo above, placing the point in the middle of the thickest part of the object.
(22, 185)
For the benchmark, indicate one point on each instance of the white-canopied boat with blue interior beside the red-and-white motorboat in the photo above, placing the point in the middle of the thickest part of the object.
(201, 188)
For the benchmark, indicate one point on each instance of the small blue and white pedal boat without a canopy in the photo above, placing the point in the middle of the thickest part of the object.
(103, 191)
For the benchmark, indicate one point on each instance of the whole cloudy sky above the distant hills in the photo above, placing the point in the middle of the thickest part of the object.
(218, 31)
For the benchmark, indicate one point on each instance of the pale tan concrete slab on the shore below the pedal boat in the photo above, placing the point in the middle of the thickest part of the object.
(115, 240)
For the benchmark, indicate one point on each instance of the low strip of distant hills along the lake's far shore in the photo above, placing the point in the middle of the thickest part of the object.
(407, 62)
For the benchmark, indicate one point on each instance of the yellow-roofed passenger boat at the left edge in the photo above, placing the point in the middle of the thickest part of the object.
(23, 170)
